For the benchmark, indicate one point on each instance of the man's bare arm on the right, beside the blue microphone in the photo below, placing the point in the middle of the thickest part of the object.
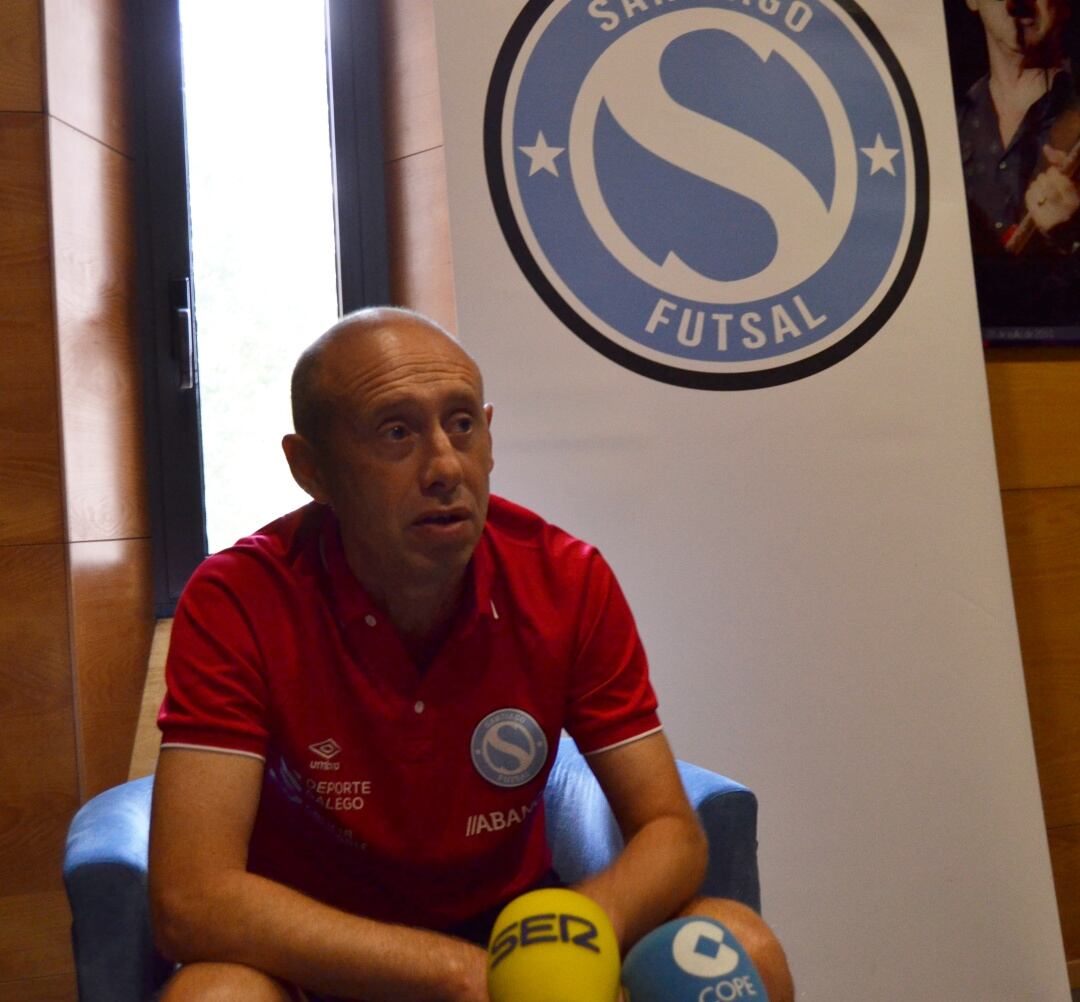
(664, 862)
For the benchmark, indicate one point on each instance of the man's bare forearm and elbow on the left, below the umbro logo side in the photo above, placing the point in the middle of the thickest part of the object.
(208, 908)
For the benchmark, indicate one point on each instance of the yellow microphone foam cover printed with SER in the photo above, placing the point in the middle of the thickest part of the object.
(553, 946)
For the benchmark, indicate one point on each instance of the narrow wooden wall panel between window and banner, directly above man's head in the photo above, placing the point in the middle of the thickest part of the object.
(418, 221)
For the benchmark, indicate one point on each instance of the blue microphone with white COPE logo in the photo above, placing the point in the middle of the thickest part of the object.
(692, 960)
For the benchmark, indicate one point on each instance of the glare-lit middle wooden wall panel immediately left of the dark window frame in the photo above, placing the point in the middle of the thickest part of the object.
(101, 401)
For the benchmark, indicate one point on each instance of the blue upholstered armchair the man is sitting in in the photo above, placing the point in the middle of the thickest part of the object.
(106, 859)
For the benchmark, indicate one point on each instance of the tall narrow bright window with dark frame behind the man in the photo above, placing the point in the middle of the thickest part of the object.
(260, 172)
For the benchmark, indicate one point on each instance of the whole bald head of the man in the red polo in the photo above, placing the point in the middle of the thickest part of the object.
(393, 432)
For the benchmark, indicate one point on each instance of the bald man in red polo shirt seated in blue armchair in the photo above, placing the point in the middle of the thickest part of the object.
(354, 684)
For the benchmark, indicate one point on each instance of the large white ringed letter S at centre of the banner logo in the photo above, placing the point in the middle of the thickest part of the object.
(627, 79)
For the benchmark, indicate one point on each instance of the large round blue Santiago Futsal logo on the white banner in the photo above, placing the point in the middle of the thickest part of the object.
(722, 195)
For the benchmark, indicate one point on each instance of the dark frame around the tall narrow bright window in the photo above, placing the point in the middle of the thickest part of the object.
(170, 356)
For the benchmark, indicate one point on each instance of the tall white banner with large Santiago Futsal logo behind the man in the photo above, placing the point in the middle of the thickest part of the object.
(713, 261)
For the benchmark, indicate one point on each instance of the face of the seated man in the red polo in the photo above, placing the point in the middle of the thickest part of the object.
(409, 455)
